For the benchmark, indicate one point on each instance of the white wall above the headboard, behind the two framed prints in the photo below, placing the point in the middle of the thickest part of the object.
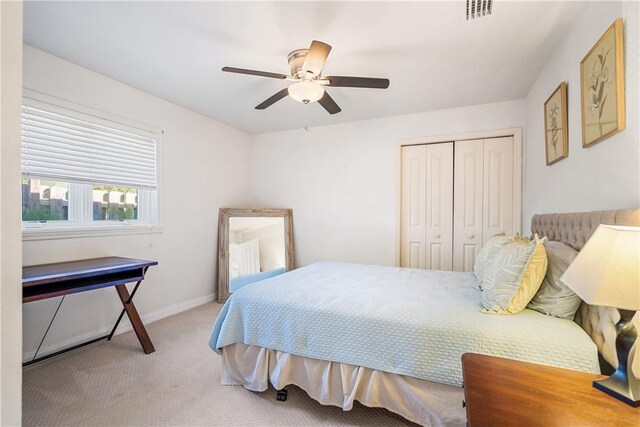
(606, 175)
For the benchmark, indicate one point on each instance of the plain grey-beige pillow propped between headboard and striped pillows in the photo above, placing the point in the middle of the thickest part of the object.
(554, 297)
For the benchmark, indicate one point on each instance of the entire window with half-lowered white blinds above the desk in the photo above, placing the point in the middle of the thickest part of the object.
(84, 171)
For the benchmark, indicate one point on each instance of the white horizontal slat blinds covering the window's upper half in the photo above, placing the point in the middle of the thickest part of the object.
(66, 145)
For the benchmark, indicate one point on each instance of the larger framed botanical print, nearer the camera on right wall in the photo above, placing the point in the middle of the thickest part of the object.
(602, 87)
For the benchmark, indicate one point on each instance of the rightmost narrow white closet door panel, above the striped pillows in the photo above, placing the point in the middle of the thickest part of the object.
(498, 187)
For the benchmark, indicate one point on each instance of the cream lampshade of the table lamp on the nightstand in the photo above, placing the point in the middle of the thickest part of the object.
(607, 270)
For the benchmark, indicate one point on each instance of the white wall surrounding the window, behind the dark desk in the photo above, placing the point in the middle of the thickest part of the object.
(198, 157)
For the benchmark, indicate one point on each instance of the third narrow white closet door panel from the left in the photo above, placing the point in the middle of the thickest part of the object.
(468, 203)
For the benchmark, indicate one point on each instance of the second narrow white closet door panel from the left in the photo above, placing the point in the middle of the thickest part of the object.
(439, 206)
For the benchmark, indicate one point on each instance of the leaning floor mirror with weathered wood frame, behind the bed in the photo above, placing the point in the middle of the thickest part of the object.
(253, 245)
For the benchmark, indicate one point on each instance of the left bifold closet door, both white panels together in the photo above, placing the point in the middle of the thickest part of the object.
(427, 207)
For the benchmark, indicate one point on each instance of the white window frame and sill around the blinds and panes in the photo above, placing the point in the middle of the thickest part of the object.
(80, 222)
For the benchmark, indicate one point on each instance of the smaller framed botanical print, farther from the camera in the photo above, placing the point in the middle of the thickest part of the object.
(556, 135)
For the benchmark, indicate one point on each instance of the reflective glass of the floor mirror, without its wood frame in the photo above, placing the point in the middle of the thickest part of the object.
(256, 250)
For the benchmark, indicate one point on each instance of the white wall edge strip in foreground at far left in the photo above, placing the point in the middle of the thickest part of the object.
(10, 256)
